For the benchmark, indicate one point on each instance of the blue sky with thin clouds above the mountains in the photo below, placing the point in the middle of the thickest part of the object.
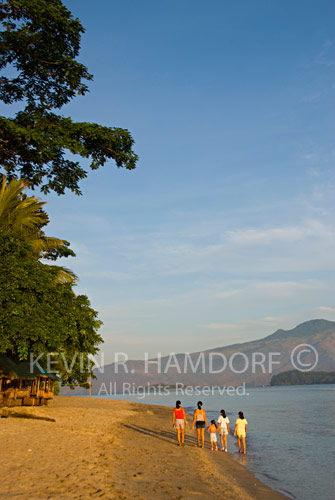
(225, 231)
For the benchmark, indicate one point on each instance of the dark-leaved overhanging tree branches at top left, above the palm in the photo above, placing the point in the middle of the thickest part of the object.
(39, 44)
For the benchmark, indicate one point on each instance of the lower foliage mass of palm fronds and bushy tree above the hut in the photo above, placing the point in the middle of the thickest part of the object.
(39, 312)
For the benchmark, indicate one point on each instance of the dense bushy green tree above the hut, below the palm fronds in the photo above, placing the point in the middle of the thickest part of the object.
(39, 315)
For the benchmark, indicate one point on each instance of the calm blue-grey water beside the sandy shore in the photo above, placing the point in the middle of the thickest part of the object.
(291, 434)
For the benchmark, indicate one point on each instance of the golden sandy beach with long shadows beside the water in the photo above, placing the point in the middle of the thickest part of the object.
(93, 448)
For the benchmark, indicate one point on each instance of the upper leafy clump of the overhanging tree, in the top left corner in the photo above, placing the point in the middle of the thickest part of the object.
(41, 39)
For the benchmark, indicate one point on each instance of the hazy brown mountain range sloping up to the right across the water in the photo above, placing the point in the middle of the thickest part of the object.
(252, 363)
